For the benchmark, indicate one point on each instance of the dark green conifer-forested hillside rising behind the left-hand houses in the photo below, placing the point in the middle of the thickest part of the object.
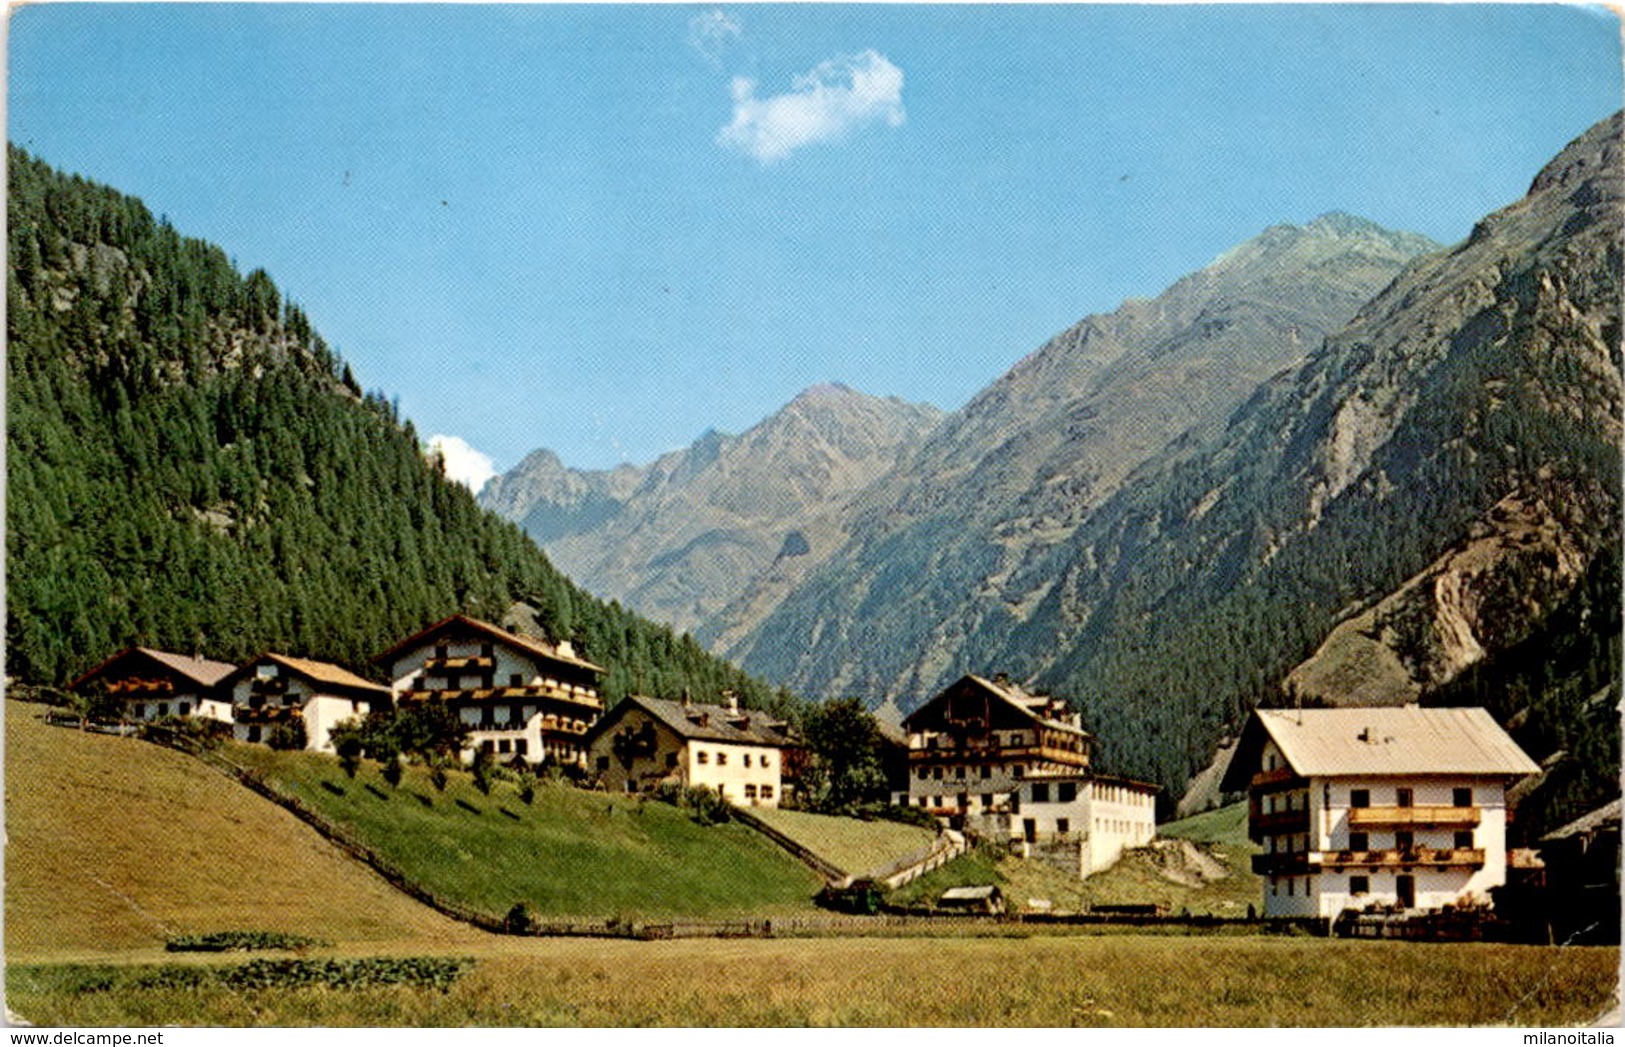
(191, 467)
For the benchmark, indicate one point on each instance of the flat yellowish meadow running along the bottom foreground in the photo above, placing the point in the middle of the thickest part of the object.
(1103, 981)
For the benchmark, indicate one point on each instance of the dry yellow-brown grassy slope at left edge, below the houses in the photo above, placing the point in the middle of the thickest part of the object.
(113, 845)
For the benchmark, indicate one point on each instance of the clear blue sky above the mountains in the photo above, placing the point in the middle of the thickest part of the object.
(605, 230)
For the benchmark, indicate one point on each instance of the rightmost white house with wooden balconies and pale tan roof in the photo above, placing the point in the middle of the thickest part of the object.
(1356, 807)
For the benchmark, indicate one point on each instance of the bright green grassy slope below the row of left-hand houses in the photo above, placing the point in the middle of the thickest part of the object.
(570, 853)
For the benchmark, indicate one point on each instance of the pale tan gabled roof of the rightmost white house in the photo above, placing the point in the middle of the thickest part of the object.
(1405, 741)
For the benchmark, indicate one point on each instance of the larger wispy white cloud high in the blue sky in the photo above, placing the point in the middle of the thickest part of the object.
(825, 105)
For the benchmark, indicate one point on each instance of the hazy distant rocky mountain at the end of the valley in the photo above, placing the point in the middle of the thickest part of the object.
(696, 531)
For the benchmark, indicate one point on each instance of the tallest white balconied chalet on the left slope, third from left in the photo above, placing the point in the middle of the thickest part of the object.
(521, 698)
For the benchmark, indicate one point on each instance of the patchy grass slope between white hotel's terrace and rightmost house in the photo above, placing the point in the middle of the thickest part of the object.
(1137, 879)
